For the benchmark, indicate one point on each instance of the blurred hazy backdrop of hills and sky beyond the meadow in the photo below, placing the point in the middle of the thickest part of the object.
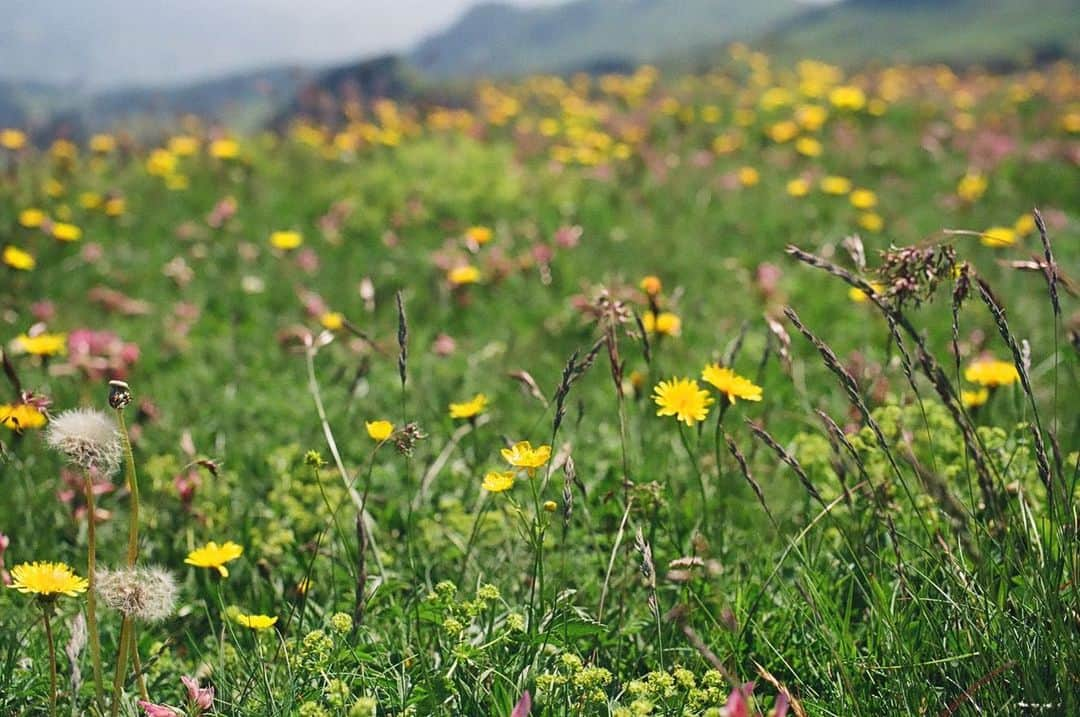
(70, 67)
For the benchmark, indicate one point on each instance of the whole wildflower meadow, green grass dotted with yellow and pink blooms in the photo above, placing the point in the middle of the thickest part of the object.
(744, 391)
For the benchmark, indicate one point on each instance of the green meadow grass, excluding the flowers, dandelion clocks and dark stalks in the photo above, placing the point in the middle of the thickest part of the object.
(900, 601)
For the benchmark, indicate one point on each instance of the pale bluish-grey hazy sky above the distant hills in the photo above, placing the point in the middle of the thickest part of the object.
(107, 44)
